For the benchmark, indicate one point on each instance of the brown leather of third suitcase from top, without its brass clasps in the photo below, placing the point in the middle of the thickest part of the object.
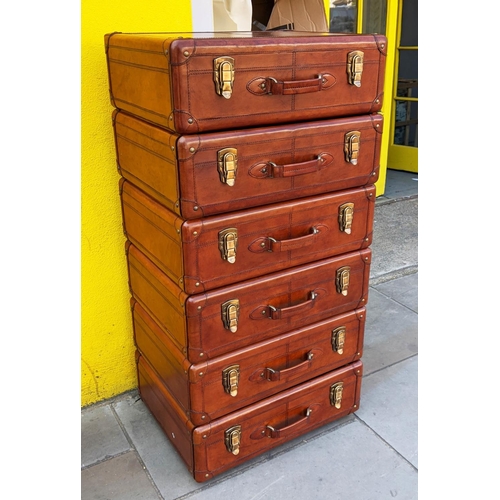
(270, 238)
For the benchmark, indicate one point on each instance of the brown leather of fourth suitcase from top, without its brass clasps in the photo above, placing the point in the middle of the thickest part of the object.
(194, 321)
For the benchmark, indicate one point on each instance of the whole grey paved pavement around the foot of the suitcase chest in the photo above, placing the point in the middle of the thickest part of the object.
(369, 455)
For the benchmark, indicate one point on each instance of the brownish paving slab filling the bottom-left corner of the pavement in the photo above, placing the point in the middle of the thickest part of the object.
(120, 478)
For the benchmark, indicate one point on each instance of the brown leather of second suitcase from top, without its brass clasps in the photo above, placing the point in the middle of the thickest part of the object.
(275, 163)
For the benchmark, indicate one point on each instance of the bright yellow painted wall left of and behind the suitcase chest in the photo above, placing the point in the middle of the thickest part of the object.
(107, 350)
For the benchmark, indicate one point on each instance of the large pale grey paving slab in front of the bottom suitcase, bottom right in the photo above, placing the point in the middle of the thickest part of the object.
(351, 462)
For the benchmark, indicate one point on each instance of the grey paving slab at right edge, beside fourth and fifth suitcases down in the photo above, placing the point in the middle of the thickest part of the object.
(391, 332)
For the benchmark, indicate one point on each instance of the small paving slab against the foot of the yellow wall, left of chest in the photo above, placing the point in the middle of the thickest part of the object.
(101, 435)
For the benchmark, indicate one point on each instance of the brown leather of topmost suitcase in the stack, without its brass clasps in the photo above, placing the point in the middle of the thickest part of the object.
(168, 80)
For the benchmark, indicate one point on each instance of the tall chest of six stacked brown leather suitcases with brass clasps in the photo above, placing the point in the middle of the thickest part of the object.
(247, 163)
